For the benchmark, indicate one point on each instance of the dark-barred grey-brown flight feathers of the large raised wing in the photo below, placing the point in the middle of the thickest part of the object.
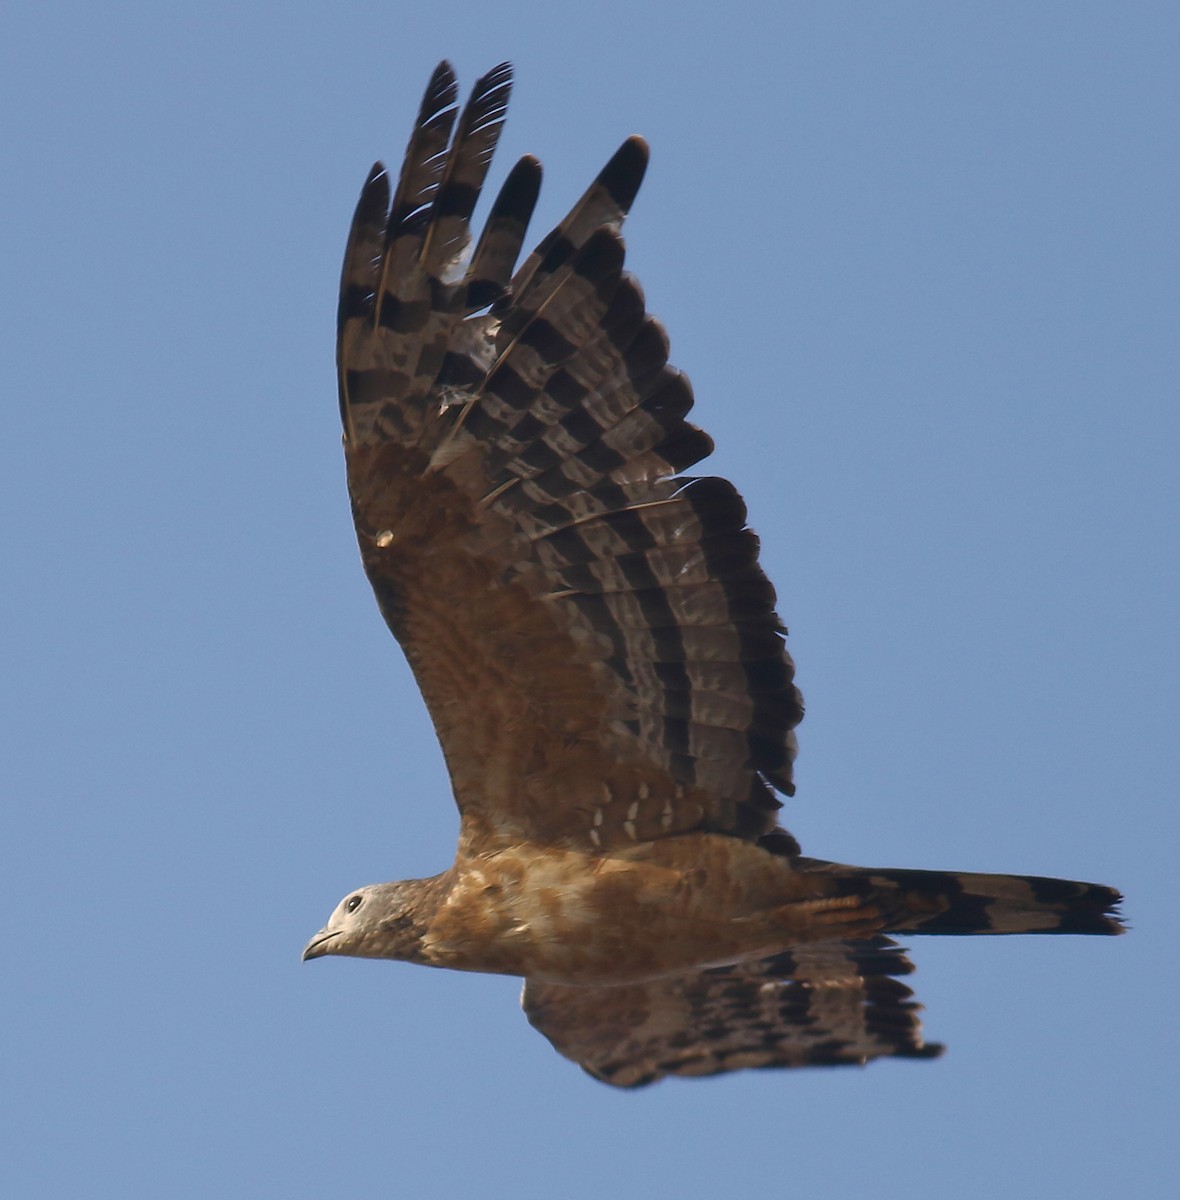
(564, 429)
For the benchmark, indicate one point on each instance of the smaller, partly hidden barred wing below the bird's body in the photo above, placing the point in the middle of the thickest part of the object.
(818, 1006)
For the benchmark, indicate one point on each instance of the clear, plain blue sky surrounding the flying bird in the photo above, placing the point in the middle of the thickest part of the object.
(920, 261)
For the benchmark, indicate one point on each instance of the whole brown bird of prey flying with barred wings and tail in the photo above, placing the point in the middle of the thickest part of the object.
(600, 652)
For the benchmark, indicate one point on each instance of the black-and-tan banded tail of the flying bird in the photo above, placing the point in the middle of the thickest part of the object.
(965, 903)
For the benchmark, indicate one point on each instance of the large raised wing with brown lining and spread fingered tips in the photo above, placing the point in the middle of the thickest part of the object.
(591, 631)
